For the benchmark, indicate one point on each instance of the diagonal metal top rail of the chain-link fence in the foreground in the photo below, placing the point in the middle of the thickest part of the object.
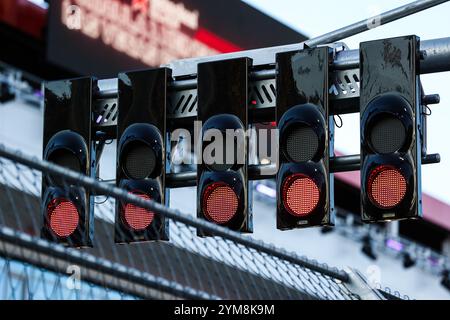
(118, 193)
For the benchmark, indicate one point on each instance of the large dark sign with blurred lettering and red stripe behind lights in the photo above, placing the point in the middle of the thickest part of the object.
(103, 37)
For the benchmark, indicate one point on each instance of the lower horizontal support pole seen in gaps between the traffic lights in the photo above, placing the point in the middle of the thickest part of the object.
(257, 172)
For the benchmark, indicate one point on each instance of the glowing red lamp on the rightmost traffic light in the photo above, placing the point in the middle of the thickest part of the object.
(386, 187)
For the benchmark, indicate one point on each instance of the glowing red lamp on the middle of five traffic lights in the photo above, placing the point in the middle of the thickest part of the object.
(220, 203)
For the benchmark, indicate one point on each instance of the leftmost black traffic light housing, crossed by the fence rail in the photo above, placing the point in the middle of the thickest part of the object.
(67, 209)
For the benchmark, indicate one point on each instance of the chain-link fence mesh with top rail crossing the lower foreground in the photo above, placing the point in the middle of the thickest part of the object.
(225, 266)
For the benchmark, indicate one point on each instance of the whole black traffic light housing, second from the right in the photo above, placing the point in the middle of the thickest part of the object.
(304, 181)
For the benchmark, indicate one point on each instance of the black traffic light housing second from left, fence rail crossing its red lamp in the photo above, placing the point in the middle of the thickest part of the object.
(141, 158)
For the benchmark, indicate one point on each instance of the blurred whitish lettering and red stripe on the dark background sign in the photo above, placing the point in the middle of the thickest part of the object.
(153, 32)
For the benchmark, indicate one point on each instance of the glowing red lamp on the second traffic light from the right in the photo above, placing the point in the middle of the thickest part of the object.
(300, 195)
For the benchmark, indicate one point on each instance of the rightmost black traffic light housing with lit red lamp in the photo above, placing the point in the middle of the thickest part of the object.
(391, 116)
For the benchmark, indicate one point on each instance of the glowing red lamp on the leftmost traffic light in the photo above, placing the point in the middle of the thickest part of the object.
(63, 217)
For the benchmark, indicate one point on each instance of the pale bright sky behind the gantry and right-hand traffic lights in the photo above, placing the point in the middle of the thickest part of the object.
(314, 18)
